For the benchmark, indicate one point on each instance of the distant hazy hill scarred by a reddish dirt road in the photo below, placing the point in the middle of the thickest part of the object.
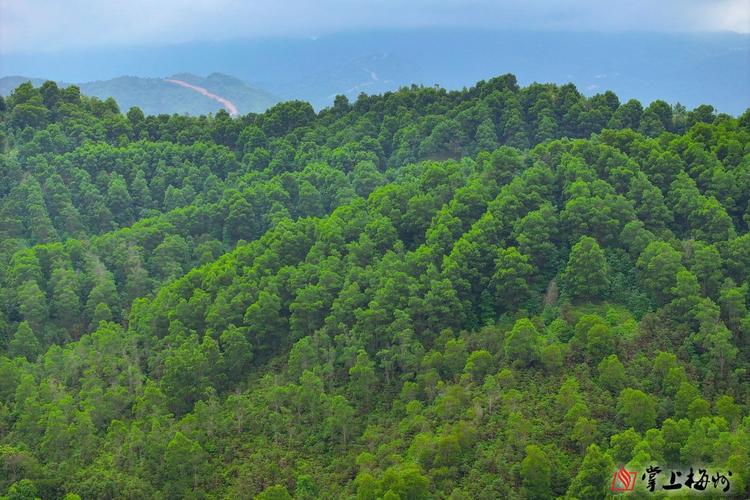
(166, 95)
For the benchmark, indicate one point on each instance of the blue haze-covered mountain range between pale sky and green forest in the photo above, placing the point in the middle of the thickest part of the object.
(687, 68)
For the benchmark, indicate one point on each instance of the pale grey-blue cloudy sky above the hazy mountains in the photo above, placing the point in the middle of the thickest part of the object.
(43, 25)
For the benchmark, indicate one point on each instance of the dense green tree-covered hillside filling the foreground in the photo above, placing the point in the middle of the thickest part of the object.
(500, 292)
